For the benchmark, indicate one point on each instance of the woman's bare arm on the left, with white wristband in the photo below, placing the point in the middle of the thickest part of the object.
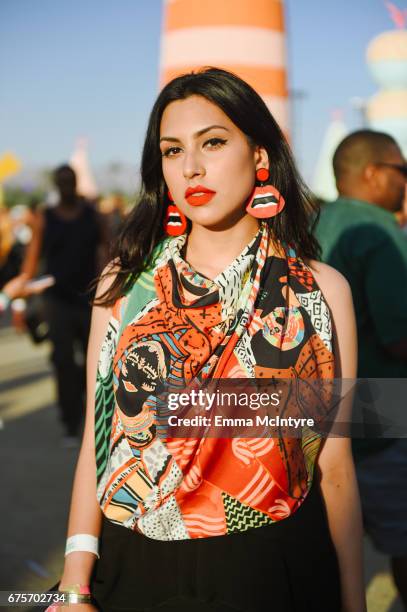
(85, 514)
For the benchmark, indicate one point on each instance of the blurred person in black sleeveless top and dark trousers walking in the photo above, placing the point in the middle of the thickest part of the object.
(69, 239)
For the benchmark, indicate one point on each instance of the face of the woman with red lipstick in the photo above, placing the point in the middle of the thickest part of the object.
(208, 164)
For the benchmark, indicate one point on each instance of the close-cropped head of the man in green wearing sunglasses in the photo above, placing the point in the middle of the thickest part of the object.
(362, 167)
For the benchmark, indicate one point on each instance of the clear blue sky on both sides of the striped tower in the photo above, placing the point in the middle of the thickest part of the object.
(90, 67)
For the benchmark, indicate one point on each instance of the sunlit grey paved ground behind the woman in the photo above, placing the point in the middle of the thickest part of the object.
(36, 478)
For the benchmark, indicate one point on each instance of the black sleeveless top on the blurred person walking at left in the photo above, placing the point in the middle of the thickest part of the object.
(69, 250)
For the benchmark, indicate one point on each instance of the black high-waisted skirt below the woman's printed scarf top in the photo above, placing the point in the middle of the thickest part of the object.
(290, 566)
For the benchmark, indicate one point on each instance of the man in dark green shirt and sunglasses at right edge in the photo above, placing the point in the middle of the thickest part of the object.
(361, 238)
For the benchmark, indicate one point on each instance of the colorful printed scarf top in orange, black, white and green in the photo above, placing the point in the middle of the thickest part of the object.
(263, 317)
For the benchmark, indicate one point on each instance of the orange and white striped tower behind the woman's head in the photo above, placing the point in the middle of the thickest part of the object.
(245, 37)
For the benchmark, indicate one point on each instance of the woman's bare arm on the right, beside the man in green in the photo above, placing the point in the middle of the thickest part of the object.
(335, 463)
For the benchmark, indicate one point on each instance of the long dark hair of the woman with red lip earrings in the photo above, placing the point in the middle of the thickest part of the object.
(143, 228)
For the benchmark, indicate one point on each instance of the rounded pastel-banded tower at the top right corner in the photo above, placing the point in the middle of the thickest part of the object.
(387, 60)
